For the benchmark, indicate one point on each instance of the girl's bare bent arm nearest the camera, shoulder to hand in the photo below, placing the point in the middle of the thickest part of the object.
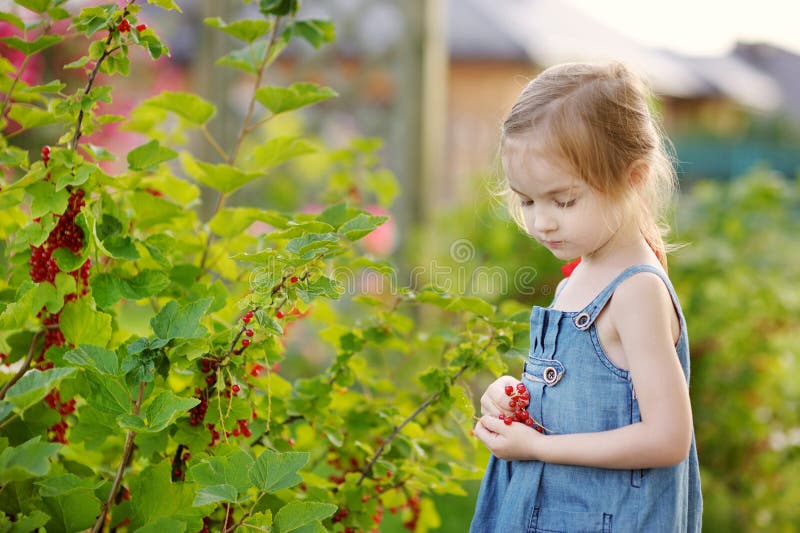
(664, 434)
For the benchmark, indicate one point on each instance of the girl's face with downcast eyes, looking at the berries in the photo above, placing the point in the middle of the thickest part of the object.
(560, 210)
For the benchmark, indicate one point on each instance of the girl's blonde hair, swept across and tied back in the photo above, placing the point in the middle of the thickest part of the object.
(596, 119)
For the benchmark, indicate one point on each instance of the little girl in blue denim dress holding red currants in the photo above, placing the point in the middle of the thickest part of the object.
(588, 175)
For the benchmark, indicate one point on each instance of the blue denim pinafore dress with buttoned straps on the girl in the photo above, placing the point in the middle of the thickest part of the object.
(575, 388)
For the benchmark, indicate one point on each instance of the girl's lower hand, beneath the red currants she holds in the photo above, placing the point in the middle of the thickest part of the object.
(514, 442)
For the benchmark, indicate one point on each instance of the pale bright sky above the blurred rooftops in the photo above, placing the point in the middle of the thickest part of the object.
(700, 27)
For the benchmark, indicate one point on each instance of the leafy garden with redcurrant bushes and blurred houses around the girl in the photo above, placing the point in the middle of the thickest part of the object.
(254, 277)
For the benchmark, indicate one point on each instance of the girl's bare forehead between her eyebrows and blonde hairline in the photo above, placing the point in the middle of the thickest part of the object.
(530, 169)
